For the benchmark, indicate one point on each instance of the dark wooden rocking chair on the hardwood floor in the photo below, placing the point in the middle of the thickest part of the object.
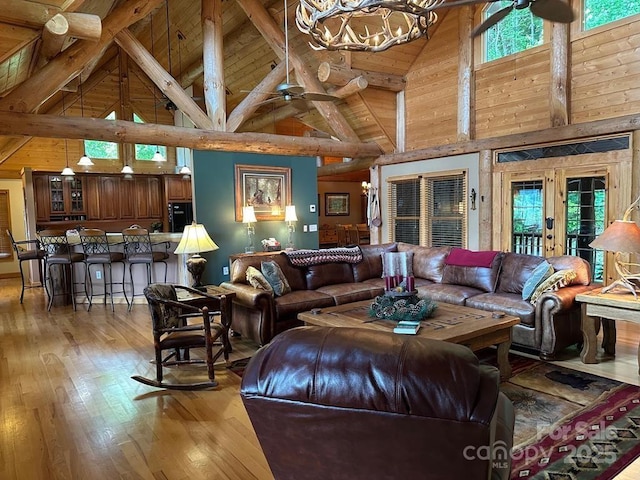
(172, 332)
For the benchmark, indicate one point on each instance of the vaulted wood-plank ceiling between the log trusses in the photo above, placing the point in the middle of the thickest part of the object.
(176, 42)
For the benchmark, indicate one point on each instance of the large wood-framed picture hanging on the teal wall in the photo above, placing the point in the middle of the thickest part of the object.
(267, 188)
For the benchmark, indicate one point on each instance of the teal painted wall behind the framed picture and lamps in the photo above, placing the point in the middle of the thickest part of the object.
(214, 203)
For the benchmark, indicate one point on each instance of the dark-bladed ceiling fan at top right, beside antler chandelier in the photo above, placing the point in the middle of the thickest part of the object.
(553, 10)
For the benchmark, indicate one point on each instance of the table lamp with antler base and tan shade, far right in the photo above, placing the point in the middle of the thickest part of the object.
(622, 236)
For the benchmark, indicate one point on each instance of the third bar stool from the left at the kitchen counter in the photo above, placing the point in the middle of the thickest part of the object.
(97, 251)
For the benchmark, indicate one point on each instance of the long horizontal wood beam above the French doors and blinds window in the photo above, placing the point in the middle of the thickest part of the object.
(622, 124)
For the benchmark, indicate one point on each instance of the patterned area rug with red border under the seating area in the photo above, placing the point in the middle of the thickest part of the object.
(569, 425)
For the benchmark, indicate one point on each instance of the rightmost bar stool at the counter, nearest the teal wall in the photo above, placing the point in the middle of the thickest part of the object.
(138, 250)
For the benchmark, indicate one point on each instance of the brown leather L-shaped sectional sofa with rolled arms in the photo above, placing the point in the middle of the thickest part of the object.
(547, 327)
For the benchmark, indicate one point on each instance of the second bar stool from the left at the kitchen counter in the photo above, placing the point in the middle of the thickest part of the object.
(58, 252)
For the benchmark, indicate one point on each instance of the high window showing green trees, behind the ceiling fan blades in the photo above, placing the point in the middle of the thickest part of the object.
(518, 31)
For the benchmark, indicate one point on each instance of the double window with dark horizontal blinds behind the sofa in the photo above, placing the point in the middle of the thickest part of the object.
(429, 210)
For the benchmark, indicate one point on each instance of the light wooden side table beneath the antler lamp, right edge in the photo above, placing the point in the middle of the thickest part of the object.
(610, 307)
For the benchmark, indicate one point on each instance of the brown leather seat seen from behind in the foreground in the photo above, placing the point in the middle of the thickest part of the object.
(348, 403)
